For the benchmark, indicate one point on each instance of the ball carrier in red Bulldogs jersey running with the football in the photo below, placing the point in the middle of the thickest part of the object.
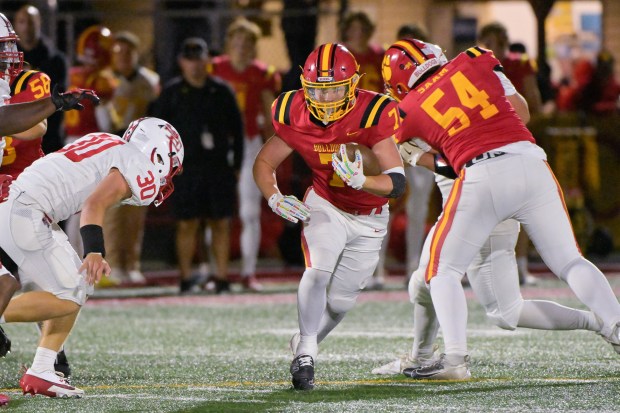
(345, 213)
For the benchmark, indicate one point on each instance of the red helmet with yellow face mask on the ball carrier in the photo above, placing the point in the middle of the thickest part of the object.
(329, 79)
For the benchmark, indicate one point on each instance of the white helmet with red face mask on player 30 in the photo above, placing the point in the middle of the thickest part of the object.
(161, 143)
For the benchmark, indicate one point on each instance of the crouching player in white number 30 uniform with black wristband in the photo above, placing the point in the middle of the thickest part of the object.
(90, 175)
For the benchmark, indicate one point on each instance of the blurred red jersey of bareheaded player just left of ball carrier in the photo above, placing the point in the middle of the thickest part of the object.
(248, 86)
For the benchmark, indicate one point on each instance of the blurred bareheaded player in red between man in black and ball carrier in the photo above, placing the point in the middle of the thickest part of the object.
(255, 85)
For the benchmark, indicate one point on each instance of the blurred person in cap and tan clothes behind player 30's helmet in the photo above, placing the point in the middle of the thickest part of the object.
(137, 87)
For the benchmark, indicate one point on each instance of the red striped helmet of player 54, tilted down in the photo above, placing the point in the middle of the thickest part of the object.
(405, 62)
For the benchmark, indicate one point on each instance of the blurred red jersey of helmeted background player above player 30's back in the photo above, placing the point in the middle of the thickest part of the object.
(82, 122)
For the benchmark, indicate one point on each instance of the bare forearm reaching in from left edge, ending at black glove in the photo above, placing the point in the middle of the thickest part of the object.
(22, 116)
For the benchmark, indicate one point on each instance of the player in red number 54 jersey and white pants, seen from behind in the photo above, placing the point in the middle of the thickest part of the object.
(469, 111)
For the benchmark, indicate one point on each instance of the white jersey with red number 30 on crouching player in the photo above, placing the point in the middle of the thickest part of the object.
(61, 181)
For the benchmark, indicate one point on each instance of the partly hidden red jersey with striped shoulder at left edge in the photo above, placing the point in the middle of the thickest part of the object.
(28, 86)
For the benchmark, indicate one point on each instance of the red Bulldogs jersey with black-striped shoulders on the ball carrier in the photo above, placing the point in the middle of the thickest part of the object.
(374, 117)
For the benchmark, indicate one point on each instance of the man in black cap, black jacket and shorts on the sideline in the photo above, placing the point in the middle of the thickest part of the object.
(205, 112)
